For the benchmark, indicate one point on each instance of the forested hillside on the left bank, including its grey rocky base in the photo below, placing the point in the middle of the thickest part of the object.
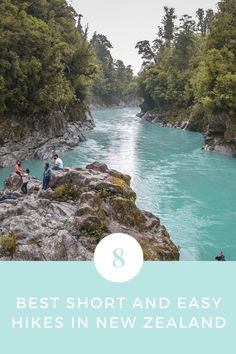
(49, 74)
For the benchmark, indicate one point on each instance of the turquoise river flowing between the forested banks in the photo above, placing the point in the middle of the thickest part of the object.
(192, 191)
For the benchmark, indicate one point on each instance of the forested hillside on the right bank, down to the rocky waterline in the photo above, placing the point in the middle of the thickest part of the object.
(189, 73)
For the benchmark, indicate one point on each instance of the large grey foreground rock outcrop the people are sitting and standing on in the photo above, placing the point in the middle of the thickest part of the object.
(67, 221)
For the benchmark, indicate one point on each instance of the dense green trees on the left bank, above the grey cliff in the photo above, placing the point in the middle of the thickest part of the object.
(47, 62)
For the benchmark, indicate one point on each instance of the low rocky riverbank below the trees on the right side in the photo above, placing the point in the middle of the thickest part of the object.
(219, 131)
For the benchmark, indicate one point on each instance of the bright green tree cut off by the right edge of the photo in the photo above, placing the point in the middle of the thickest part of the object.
(215, 80)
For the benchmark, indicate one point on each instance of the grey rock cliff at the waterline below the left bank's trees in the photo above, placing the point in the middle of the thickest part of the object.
(39, 135)
